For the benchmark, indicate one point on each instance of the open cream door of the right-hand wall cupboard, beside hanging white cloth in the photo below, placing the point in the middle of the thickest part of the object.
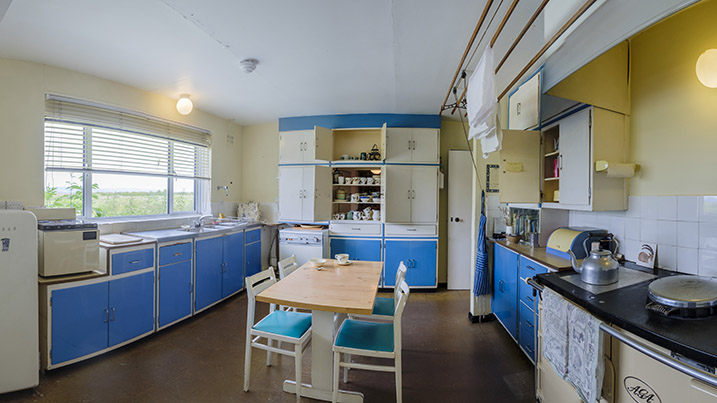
(520, 167)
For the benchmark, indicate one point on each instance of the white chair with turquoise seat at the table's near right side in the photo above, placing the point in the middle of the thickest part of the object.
(372, 339)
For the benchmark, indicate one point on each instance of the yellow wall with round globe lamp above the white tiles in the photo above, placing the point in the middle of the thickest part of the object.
(674, 117)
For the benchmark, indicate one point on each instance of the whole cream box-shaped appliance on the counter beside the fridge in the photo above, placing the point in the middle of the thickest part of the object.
(66, 245)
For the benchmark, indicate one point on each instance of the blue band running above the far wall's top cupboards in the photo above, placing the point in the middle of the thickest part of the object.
(359, 120)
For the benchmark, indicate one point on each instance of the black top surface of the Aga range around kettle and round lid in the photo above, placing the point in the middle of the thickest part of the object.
(625, 307)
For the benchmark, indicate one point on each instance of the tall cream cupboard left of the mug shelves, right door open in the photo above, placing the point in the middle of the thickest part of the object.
(304, 193)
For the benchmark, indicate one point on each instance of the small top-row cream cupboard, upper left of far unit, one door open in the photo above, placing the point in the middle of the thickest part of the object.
(305, 146)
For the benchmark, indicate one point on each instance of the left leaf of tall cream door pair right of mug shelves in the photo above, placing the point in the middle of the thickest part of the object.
(397, 194)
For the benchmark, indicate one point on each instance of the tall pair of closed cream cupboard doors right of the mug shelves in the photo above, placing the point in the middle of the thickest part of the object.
(411, 194)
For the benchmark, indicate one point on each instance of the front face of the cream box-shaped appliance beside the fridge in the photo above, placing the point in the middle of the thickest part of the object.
(68, 252)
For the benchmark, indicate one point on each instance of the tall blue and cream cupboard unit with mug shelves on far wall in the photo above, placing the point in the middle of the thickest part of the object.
(373, 179)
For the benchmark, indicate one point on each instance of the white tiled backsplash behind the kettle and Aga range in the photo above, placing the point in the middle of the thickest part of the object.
(684, 228)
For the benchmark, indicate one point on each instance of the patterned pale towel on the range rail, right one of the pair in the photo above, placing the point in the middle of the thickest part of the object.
(585, 349)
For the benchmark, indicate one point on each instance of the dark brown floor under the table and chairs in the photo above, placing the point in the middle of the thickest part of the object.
(445, 359)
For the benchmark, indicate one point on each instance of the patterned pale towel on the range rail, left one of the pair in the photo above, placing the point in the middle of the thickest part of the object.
(555, 331)
